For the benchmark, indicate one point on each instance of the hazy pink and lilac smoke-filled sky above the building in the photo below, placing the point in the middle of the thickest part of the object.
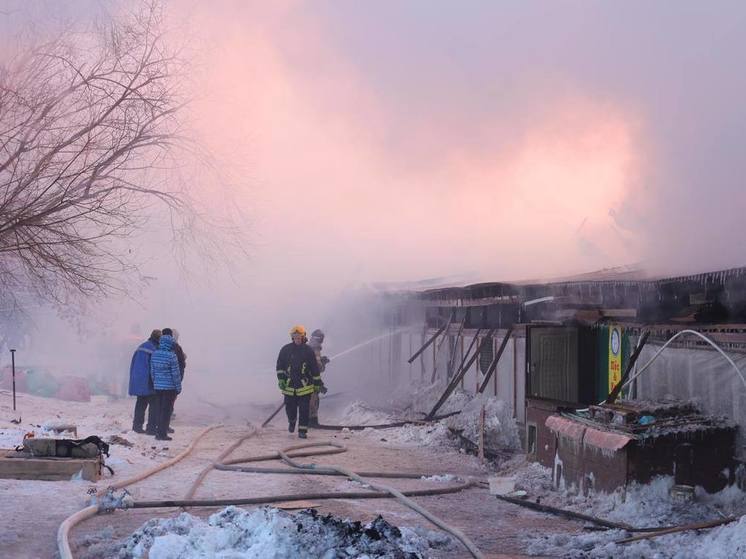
(395, 140)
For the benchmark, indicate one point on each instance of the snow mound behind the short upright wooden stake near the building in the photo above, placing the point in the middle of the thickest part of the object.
(500, 431)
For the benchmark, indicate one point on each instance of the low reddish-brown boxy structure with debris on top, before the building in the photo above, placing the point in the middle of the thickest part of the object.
(611, 446)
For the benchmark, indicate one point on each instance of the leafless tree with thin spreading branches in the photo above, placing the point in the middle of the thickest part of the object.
(88, 122)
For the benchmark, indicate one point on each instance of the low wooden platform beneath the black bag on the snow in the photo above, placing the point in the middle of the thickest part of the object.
(17, 465)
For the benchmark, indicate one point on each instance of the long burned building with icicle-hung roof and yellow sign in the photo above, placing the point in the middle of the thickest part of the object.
(549, 349)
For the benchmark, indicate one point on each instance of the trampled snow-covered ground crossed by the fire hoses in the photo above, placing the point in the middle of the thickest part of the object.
(430, 449)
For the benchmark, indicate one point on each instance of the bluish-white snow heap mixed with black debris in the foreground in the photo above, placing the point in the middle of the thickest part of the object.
(274, 534)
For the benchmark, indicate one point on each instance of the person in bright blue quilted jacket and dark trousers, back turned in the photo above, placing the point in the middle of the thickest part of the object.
(166, 375)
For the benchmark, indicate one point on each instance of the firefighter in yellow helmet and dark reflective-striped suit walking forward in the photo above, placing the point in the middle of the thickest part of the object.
(297, 377)
